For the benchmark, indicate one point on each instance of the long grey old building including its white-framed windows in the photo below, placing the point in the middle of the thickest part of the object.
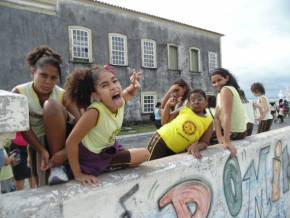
(89, 32)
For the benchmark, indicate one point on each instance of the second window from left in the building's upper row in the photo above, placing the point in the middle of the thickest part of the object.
(118, 49)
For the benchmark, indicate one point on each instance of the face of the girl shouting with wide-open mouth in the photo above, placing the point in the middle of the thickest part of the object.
(109, 91)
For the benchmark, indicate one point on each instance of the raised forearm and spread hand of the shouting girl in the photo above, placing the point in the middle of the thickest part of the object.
(130, 92)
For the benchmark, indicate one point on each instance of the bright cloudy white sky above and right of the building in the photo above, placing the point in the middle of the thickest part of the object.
(256, 45)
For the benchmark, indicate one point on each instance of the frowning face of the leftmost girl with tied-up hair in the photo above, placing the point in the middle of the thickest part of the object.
(44, 79)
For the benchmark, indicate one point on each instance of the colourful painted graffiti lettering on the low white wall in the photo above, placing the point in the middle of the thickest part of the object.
(254, 192)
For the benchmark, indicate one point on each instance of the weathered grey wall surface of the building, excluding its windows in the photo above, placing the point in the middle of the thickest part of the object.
(22, 30)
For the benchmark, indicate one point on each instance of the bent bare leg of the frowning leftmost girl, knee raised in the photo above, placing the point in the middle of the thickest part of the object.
(54, 117)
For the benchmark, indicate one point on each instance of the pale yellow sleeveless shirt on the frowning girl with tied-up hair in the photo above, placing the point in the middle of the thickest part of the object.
(35, 109)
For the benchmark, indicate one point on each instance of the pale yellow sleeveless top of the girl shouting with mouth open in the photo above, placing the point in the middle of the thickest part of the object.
(108, 127)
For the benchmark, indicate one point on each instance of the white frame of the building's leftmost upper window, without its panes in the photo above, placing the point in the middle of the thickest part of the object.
(74, 58)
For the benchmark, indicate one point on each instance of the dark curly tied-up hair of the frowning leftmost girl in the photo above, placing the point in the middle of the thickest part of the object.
(43, 55)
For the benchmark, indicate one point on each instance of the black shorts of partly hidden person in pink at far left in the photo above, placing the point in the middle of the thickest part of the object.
(21, 170)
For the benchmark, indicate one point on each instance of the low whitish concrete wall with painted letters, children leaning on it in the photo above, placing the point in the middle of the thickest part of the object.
(255, 184)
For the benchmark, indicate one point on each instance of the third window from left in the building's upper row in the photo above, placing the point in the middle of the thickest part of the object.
(148, 48)
